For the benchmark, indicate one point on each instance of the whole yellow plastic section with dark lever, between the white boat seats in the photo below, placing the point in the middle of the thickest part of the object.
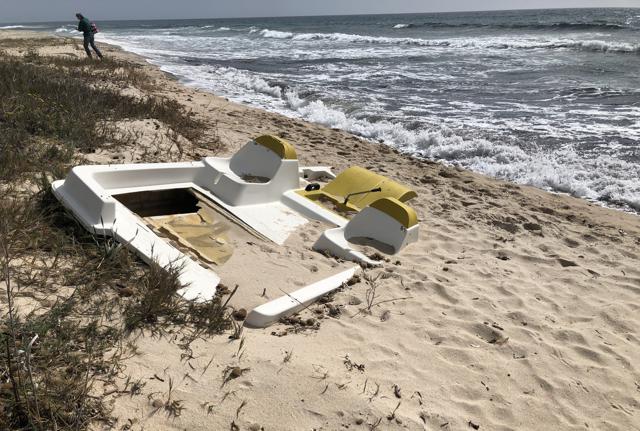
(358, 180)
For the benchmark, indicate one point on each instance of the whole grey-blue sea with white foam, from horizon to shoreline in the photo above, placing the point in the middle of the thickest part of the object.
(549, 98)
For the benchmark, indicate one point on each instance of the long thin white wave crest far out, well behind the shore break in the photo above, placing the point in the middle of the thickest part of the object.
(489, 43)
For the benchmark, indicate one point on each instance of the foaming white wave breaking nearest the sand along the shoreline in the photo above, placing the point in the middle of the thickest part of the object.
(602, 178)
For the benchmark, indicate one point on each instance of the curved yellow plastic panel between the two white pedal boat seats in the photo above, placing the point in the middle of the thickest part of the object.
(357, 179)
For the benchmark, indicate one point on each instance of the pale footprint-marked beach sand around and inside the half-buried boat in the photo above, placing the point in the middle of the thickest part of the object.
(517, 309)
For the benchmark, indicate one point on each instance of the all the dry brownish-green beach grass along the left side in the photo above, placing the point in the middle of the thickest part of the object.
(70, 298)
